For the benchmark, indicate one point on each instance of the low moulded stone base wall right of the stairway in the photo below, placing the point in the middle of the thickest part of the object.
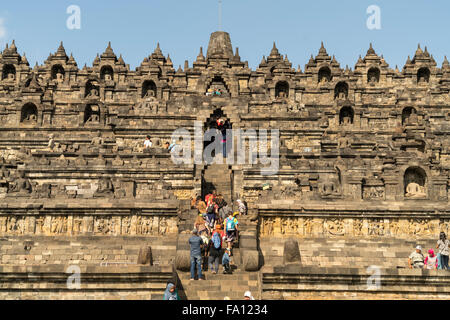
(293, 283)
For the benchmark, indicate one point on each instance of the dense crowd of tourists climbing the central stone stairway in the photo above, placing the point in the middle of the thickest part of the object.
(216, 224)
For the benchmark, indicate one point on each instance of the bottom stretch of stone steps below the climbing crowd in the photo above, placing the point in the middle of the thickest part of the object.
(217, 286)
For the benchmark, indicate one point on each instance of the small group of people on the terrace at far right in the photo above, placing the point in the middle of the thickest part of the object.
(432, 261)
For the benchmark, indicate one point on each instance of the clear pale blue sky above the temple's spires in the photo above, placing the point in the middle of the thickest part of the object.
(135, 26)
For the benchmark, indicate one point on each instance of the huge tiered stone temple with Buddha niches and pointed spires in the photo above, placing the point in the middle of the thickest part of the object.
(364, 164)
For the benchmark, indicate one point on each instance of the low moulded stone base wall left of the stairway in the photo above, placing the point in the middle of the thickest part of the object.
(96, 283)
